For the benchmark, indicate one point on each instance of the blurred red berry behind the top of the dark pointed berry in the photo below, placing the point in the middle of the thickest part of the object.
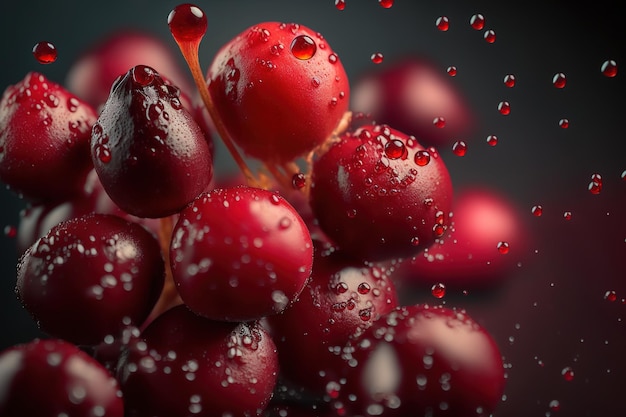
(96, 69)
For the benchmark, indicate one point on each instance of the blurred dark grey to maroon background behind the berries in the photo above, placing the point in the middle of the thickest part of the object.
(552, 309)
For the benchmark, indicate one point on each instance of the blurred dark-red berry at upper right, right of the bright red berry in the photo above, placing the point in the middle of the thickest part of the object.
(410, 94)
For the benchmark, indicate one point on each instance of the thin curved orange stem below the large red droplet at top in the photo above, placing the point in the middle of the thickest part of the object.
(190, 53)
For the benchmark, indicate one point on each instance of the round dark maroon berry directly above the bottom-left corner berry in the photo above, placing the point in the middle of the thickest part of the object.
(90, 277)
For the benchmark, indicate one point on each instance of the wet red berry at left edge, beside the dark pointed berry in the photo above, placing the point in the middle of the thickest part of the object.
(44, 139)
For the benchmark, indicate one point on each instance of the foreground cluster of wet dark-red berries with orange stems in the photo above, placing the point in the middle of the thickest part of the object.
(166, 291)
